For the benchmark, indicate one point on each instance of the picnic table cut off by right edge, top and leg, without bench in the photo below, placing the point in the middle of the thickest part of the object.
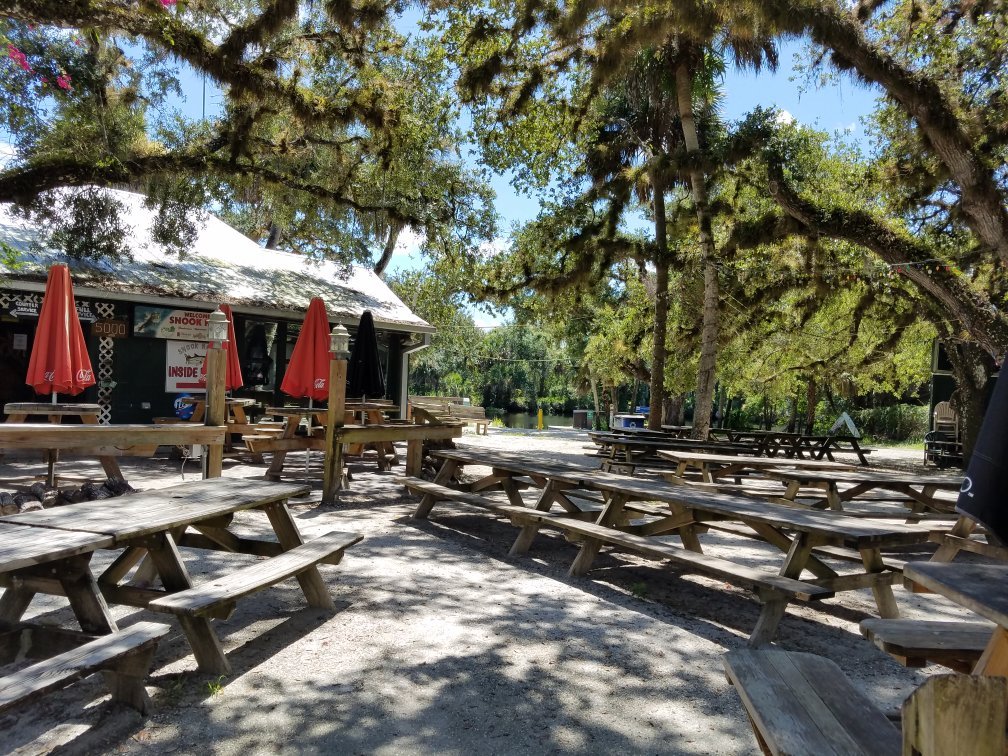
(980, 588)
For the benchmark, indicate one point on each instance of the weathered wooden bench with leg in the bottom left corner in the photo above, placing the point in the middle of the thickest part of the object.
(124, 657)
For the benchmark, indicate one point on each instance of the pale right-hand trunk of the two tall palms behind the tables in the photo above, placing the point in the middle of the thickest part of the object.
(712, 316)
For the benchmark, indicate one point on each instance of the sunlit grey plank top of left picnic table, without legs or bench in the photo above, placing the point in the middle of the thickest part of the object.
(129, 518)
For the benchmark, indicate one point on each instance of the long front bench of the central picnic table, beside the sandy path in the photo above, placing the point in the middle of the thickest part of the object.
(772, 590)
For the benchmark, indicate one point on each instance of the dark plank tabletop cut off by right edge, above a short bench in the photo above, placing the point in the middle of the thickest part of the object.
(980, 588)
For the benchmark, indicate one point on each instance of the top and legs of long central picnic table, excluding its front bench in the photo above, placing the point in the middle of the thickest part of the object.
(800, 535)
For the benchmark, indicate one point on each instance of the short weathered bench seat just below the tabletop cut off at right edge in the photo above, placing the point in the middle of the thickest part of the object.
(916, 644)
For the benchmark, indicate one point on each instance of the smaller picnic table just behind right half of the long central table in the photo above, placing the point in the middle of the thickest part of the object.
(920, 490)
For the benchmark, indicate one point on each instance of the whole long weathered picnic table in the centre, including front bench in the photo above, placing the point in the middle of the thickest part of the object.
(628, 520)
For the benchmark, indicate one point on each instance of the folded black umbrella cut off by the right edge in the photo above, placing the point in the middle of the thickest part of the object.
(985, 489)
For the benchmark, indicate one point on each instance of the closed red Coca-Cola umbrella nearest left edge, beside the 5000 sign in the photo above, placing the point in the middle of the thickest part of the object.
(60, 361)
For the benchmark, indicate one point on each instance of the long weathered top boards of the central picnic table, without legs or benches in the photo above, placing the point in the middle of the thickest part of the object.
(858, 533)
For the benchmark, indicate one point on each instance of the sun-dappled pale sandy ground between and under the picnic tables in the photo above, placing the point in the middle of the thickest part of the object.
(444, 645)
